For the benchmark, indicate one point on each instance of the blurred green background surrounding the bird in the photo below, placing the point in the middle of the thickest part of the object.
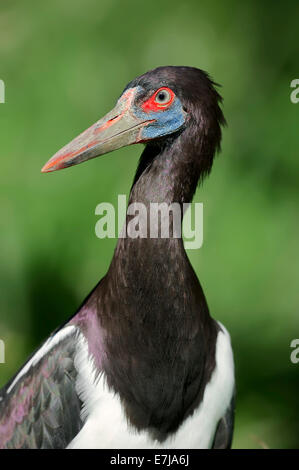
(64, 64)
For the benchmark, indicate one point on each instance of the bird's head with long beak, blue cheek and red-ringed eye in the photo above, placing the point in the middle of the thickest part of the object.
(153, 108)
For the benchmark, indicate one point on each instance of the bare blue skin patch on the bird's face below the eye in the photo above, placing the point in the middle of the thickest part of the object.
(165, 121)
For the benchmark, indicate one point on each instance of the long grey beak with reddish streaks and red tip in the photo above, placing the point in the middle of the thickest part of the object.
(120, 127)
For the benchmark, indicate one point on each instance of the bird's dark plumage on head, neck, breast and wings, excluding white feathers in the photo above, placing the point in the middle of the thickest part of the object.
(147, 322)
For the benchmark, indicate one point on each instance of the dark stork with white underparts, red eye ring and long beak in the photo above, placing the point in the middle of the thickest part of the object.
(142, 363)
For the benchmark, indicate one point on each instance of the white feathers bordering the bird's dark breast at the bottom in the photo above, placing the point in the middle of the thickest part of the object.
(107, 427)
